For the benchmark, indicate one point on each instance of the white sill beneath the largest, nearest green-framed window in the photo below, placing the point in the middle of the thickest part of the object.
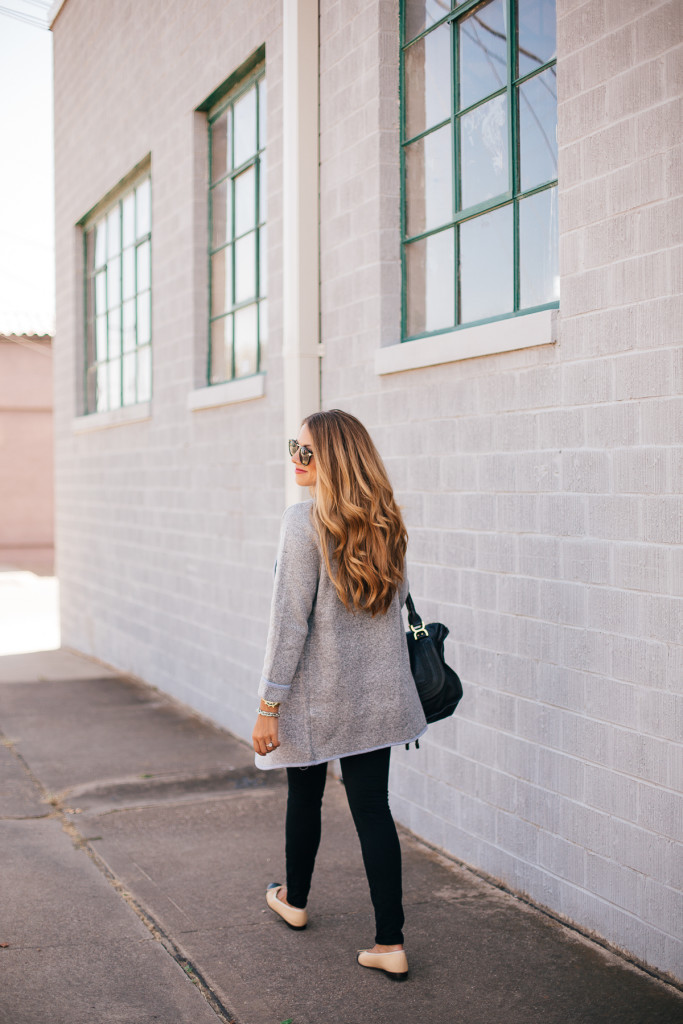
(487, 339)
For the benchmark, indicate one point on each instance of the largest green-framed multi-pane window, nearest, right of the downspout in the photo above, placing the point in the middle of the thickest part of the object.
(479, 162)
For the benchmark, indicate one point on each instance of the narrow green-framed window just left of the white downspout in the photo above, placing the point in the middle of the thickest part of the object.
(238, 314)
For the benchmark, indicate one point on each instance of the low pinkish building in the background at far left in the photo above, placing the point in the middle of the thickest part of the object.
(27, 495)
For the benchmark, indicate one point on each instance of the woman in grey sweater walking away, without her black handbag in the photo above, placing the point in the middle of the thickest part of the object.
(337, 679)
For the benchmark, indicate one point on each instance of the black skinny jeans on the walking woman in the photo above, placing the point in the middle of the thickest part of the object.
(366, 779)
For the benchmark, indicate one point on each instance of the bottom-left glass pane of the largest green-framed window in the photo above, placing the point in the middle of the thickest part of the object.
(431, 284)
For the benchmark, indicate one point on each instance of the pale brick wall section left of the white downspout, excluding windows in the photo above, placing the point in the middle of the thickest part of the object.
(166, 529)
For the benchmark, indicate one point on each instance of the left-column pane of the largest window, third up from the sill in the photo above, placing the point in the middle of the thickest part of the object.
(429, 81)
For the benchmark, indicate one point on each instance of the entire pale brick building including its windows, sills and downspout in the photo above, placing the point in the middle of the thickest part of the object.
(498, 300)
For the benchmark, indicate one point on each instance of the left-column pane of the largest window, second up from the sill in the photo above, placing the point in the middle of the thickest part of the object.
(430, 182)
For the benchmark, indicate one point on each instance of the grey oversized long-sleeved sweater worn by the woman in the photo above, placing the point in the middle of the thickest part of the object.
(343, 678)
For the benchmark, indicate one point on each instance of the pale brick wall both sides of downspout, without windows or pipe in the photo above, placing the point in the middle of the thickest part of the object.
(541, 488)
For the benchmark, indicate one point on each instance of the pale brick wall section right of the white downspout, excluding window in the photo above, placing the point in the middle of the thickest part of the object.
(541, 488)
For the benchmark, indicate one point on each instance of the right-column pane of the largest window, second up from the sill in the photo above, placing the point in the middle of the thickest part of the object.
(538, 131)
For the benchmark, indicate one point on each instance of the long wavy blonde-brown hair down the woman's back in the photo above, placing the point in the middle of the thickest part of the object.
(360, 526)
